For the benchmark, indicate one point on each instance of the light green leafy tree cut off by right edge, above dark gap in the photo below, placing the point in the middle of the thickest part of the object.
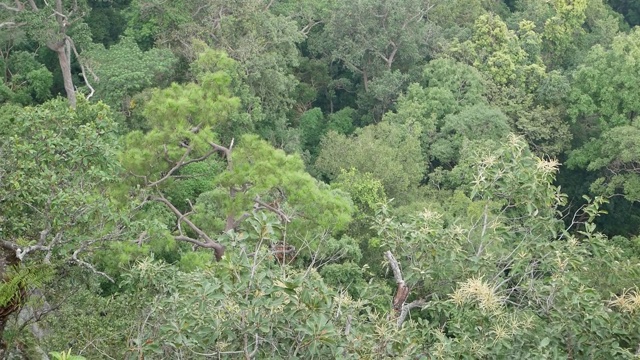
(604, 108)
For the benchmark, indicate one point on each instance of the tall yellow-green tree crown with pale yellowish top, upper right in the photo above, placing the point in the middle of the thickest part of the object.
(517, 77)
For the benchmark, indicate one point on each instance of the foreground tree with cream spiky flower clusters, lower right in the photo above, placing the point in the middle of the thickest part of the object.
(500, 276)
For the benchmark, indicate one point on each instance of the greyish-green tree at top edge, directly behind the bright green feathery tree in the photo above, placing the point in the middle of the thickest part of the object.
(263, 43)
